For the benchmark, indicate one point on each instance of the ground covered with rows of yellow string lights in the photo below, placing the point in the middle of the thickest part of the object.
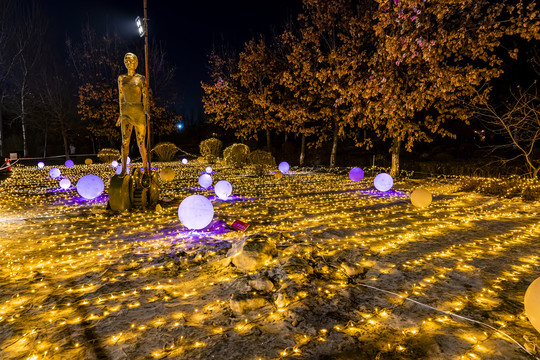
(358, 274)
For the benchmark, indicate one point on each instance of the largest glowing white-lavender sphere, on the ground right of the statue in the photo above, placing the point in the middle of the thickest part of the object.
(195, 212)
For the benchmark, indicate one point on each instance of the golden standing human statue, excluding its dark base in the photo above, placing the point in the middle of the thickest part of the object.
(133, 109)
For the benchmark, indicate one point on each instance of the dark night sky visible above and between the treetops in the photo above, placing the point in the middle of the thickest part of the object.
(188, 28)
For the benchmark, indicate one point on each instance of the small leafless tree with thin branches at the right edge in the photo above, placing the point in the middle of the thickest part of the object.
(518, 122)
